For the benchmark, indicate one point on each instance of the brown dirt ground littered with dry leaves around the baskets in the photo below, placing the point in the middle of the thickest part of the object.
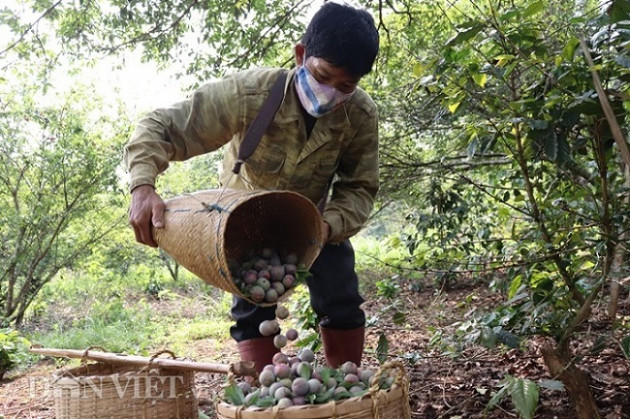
(441, 386)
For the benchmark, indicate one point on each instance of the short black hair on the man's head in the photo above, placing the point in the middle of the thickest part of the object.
(344, 36)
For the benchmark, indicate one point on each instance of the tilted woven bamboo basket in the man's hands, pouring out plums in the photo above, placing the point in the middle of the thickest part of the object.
(204, 230)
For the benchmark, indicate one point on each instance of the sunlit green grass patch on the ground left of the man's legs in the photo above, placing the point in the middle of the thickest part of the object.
(128, 316)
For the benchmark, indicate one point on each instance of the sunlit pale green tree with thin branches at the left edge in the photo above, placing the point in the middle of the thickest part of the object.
(58, 183)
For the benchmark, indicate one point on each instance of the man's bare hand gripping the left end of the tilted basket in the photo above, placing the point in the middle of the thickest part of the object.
(147, 208)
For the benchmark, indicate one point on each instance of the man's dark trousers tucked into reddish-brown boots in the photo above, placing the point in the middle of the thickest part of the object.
(334, 292)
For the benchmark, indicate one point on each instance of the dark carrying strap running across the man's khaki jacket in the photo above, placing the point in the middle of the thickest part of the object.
(261, 122)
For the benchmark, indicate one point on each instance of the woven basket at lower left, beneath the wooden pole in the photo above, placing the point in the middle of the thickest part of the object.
(101, 390)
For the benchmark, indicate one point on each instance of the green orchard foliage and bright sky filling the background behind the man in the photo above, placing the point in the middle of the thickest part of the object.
(491, 122)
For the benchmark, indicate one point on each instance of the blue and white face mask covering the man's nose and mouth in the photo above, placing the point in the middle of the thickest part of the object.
(317, 98)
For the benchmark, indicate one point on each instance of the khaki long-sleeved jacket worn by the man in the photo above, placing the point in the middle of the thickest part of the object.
(343, 143)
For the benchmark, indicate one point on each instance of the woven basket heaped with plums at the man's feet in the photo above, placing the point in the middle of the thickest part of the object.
(376, 404)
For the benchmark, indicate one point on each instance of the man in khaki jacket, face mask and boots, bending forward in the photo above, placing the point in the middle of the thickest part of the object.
(326, 126)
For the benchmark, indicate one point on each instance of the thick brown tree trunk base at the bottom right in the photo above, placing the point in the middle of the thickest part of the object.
(575, 381)
